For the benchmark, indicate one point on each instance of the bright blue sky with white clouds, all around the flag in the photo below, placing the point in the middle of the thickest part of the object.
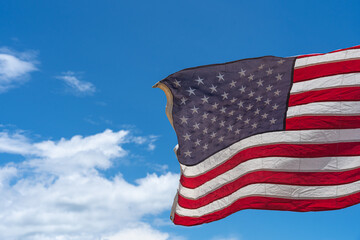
(85, 145)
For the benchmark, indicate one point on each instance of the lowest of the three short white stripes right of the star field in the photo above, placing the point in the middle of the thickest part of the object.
(325, 108)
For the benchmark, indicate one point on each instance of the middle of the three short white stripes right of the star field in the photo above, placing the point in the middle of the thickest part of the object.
(341, 80)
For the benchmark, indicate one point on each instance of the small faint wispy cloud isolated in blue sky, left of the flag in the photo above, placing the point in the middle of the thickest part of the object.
(77, 86)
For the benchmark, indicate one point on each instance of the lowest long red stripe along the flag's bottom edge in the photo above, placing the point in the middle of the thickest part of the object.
(269, 203)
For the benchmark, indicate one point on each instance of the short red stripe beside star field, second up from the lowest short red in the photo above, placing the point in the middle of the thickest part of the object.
(325, 95)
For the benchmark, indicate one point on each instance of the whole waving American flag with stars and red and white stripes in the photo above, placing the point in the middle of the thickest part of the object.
(266, 133)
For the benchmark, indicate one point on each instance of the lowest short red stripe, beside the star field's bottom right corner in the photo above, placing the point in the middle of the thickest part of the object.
(323, 122)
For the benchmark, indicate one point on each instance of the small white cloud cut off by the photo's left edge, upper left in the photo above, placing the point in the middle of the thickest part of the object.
(15, 68)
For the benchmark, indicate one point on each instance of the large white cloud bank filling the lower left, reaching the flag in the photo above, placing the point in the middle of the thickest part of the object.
(57, 192)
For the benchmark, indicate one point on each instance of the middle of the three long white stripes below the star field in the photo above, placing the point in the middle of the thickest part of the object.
(283, 164)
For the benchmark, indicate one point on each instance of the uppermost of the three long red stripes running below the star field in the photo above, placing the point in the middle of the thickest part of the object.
(276, 150)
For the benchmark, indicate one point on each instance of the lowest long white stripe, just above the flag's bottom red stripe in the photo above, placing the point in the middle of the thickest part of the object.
(274, 190)
